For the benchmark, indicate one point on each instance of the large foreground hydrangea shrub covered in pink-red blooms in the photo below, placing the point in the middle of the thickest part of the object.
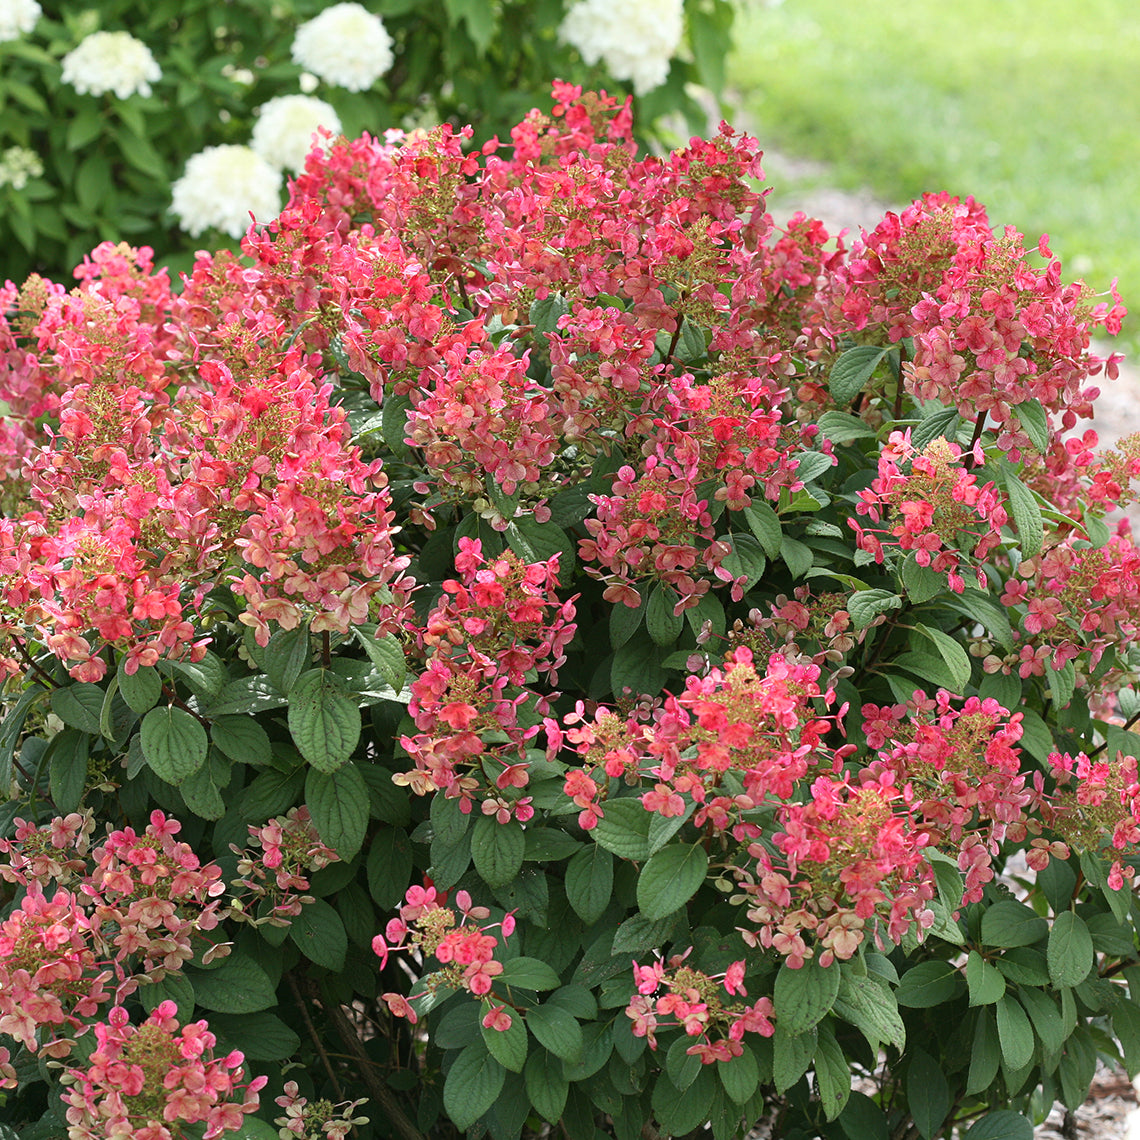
(534, 644)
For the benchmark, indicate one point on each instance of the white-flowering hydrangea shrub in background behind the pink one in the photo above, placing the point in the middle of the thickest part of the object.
(169, 124)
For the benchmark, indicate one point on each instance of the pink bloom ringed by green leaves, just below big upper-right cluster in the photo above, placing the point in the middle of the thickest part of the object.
(938, 509)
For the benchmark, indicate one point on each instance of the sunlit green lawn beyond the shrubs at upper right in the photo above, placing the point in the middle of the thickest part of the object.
(1032, 108)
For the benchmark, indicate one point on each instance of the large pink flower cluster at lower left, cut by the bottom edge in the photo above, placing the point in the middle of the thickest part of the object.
(148, 1081)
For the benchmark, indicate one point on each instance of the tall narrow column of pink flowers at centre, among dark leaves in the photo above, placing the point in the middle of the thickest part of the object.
(494, 630)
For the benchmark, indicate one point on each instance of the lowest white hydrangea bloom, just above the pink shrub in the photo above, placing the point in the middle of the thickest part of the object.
(222, 188)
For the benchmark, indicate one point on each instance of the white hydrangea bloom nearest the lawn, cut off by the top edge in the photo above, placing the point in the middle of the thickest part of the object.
(634, 39)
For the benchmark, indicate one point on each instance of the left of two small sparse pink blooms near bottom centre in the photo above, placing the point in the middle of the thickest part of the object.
(466, 949)
